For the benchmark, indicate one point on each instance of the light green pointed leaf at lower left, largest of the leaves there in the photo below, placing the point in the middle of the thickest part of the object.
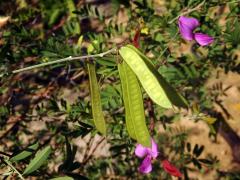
(38, 160)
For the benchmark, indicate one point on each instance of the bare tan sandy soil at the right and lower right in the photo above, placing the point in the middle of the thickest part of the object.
(199, 131)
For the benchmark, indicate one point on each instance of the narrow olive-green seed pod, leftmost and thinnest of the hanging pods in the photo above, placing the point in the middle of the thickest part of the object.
(97, 113)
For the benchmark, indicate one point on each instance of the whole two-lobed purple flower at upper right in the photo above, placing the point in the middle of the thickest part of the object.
(187, 26)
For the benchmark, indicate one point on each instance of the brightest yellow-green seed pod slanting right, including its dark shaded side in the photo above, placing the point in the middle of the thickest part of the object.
(158, 89)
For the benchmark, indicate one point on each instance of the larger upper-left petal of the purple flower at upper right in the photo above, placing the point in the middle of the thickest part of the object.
(186, 26)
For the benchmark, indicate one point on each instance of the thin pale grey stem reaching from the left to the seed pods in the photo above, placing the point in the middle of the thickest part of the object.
(68, 59)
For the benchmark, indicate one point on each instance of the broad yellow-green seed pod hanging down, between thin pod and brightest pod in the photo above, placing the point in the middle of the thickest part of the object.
(133, 103)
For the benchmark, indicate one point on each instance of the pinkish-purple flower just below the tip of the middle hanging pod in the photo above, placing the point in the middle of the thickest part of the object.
(148, 154)
